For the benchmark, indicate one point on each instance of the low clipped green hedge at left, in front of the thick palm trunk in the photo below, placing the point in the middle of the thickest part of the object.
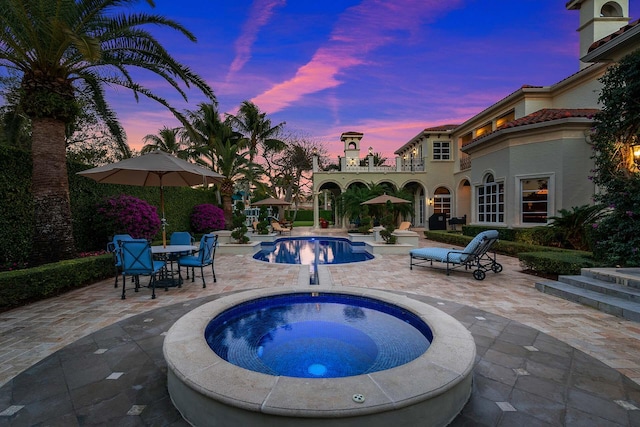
(20, 287)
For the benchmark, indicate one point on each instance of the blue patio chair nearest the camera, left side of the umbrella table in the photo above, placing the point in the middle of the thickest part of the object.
(137, 260)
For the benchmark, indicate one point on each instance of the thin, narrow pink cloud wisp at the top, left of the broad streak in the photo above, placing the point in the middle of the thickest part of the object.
(259, 15)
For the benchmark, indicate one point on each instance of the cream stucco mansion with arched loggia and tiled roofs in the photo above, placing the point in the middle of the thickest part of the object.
(514, 164)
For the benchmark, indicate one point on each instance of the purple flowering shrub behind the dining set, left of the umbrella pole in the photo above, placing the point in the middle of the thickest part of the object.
(126, 214)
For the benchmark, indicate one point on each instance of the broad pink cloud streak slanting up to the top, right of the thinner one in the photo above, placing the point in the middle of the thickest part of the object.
(360, 30)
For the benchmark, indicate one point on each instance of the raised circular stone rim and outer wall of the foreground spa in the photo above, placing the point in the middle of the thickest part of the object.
(202, 384)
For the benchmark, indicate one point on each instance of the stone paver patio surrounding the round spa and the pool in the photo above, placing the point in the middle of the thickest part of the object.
(535, 350)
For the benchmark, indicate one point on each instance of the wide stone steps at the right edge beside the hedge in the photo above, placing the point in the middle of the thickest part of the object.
(611, 290)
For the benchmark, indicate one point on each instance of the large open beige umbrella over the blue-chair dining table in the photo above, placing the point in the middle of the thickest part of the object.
(154, 169)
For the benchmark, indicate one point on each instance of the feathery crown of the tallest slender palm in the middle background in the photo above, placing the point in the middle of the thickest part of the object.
(256, 129)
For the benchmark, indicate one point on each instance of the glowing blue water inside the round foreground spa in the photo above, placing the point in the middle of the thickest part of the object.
(316, 335)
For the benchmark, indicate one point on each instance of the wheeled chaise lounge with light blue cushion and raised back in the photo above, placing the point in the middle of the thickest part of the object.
(475, 256)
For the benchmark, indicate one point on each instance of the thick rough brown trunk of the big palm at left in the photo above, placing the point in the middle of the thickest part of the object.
(53, 231)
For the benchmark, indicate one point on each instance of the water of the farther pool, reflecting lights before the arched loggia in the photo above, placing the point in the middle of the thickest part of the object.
(313, 250)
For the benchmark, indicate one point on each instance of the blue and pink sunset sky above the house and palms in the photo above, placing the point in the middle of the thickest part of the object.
(385, 68)
